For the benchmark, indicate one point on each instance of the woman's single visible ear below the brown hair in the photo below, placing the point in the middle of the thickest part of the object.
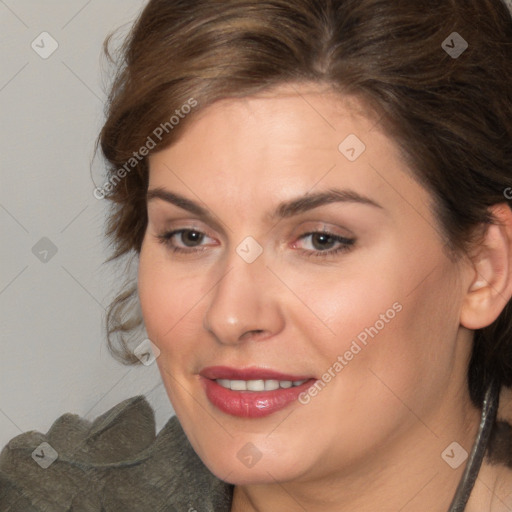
(490, 277)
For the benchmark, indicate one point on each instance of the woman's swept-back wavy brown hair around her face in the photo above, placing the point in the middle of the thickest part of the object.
(451, 115)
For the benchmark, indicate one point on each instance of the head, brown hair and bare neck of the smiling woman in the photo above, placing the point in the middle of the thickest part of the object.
(318, 197)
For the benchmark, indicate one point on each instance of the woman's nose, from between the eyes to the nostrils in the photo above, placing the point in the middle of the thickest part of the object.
(245, 304)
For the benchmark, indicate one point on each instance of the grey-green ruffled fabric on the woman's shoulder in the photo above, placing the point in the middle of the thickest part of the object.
(115, 463)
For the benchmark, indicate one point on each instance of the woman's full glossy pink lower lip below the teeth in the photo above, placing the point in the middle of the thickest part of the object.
(252, 404)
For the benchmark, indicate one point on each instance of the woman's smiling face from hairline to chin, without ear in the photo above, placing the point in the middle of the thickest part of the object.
(302, 249)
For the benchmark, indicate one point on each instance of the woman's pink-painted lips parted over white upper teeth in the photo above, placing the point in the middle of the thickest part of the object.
(243, 401)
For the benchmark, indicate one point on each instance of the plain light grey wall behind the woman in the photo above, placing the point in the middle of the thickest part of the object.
(53, 351)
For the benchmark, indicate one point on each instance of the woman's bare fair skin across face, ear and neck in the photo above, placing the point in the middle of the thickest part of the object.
(372, 439)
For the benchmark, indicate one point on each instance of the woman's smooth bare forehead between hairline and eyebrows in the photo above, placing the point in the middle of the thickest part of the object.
(263, 149)
